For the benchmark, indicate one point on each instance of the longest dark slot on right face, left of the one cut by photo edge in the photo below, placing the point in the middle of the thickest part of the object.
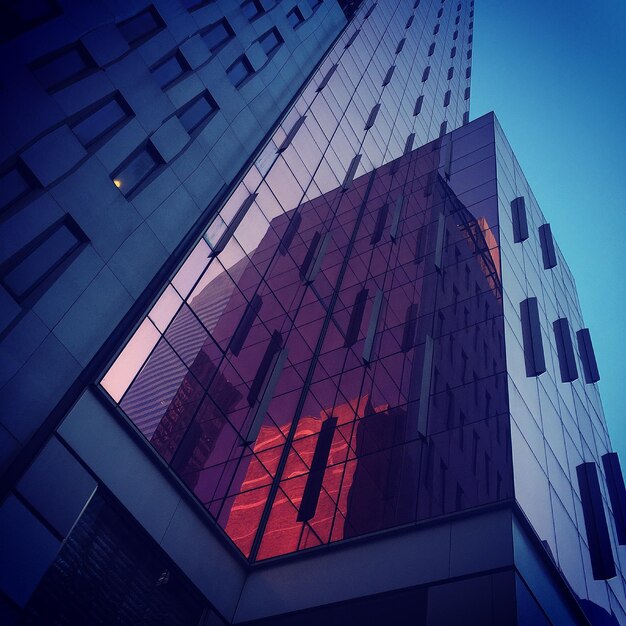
(598, 539)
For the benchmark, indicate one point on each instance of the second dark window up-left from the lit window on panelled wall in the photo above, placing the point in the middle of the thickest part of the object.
(63, 67)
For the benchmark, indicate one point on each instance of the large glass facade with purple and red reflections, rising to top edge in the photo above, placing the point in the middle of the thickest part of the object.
(297, 327)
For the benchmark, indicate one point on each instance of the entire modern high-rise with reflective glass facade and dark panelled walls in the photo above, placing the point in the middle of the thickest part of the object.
(349, 378)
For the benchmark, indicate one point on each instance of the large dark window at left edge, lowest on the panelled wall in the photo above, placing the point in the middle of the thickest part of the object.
(43, 259)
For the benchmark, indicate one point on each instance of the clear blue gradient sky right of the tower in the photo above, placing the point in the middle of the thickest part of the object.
(554, 72)
